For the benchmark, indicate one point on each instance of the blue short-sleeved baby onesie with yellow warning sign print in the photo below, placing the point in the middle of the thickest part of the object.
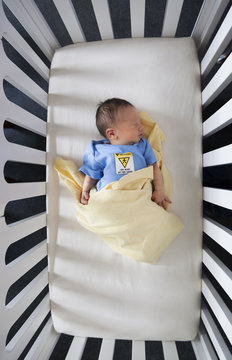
(109, 163)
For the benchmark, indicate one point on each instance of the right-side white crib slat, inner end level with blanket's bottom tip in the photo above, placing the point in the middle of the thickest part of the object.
(219, 270)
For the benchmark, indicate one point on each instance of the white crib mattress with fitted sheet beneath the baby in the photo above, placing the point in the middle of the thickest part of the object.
(94, 291)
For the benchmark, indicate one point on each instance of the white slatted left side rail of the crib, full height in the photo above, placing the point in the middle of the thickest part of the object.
(16, 321)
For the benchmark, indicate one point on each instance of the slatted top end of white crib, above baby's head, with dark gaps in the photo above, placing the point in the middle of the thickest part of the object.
(56, 23)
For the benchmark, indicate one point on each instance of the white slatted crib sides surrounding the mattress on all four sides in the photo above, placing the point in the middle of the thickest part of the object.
(31, 30)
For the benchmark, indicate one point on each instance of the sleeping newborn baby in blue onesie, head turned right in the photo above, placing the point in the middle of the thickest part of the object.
(123, 150)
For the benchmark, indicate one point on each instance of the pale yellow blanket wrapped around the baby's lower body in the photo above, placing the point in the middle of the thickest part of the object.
(122, 213)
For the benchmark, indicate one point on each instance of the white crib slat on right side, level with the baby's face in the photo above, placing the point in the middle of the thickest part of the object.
(219, 119)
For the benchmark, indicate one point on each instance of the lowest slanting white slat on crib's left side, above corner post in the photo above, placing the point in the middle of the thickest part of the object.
(30, 326)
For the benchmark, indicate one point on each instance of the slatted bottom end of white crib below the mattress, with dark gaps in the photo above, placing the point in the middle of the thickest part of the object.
(101, 349)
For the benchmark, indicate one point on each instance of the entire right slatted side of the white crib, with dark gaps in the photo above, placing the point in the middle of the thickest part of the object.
(216, 284)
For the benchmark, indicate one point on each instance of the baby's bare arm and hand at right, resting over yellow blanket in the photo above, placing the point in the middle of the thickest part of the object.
(158, 194)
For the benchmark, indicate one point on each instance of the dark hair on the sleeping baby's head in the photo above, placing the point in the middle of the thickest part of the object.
(106, 113)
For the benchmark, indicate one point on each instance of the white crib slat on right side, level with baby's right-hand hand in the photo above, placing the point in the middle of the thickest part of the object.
(218, 196)
